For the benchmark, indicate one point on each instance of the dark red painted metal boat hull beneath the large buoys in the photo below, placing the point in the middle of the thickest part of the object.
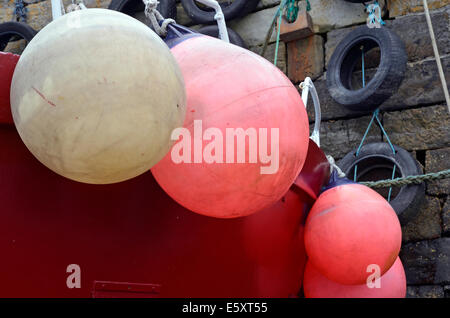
(132, 232)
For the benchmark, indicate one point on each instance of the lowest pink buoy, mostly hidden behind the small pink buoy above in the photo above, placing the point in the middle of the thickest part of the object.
(391, 285)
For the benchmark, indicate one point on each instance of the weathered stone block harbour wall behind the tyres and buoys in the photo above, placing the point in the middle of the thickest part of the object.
(416, 117)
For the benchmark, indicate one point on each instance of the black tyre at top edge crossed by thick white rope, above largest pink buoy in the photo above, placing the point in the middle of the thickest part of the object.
(206, 16)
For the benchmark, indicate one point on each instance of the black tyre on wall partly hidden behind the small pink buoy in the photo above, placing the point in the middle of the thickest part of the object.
(379, 155)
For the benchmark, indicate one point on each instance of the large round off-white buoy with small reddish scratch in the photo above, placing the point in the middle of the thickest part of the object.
(96, 95)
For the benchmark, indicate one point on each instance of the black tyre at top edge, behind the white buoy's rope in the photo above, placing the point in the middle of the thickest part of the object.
(167, 8)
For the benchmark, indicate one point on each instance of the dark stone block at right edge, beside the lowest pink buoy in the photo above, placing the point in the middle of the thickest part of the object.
(427, 262)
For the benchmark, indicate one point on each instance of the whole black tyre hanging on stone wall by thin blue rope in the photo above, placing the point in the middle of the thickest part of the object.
(387, 79)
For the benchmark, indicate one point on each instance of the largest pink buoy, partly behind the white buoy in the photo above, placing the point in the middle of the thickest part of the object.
(245, 135)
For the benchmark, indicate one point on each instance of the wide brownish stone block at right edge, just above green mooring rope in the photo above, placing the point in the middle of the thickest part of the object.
(421, 128)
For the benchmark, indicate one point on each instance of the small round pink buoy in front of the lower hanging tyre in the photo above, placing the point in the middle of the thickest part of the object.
(350, 230)
